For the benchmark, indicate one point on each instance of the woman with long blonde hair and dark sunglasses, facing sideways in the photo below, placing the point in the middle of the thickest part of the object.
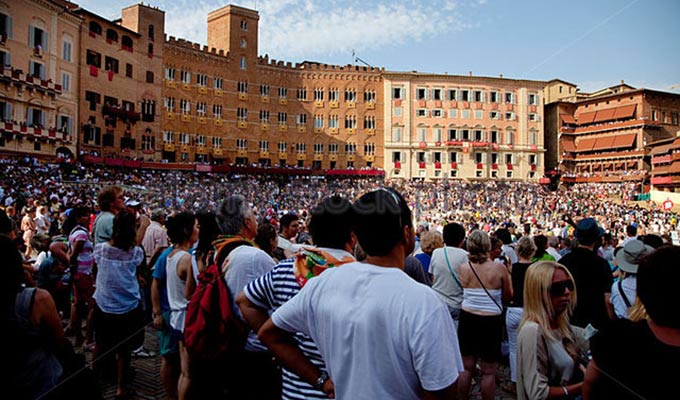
(550, 351)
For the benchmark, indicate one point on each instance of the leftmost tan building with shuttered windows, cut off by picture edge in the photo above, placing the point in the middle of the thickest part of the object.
(39, 40)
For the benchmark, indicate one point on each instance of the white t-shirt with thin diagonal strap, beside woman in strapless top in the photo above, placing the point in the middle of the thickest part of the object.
(448, 289)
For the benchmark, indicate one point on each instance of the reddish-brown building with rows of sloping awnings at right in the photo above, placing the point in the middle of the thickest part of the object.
(602, 136)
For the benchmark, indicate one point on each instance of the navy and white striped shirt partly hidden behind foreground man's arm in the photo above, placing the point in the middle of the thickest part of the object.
(270, 292)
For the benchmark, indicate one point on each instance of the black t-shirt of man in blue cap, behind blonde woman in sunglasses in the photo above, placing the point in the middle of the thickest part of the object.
(593, 279)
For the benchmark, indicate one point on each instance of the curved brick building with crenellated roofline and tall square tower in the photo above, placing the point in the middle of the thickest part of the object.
(225, 104)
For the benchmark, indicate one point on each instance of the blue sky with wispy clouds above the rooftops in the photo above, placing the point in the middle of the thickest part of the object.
(591, 43)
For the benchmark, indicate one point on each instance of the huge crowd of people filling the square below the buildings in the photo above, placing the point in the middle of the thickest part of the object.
(313, 268)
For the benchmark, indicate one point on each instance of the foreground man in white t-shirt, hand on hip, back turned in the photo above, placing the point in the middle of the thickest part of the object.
(381, 334)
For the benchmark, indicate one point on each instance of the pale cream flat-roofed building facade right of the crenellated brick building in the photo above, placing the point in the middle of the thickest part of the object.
(442, 126)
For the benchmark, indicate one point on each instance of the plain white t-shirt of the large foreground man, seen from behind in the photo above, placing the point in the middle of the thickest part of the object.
(381, 334)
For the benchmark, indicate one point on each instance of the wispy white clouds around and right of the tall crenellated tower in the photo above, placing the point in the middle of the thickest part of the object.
(312, 29)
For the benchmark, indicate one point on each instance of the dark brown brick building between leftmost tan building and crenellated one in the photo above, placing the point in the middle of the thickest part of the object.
(120, 66)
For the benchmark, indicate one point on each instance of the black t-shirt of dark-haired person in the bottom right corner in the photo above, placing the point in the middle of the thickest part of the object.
(633, 363)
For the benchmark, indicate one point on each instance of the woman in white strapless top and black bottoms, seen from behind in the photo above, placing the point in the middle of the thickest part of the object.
(486, 286)
